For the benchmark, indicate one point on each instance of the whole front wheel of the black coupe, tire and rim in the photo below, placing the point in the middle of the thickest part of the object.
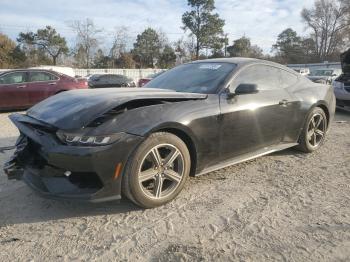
(157, 171)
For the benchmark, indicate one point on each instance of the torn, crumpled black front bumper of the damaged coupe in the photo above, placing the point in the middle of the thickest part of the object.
(60, 171)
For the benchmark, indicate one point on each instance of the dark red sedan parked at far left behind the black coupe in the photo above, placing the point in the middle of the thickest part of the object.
(20, 89)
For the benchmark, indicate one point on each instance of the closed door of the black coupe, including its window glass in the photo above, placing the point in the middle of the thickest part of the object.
(250, 122)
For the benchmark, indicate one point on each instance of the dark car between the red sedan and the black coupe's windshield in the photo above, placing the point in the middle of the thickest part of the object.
(110, 80)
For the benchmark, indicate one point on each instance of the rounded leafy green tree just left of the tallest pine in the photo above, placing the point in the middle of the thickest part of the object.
(147, 48)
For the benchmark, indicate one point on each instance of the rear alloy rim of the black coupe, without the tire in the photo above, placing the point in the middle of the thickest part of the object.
(316, 130)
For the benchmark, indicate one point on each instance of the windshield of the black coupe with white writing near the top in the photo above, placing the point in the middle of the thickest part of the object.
(202, 77)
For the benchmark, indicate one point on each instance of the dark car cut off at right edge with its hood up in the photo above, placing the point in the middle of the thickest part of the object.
(342, 84)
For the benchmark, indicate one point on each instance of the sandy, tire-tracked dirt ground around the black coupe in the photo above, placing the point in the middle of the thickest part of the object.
(285, 206)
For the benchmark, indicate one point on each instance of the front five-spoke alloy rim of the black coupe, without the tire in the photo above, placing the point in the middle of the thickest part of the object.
(161, 171)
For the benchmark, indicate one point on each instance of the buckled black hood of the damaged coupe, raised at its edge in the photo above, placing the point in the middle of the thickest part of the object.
(77, 108)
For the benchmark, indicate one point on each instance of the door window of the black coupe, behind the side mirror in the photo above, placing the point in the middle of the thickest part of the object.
(265, 77)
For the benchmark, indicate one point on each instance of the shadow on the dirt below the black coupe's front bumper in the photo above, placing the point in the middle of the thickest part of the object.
(25, 206)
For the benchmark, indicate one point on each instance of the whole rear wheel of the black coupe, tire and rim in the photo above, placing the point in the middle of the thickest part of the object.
(314, 131)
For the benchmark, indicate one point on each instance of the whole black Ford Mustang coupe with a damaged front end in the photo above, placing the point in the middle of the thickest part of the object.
(144, 143)
